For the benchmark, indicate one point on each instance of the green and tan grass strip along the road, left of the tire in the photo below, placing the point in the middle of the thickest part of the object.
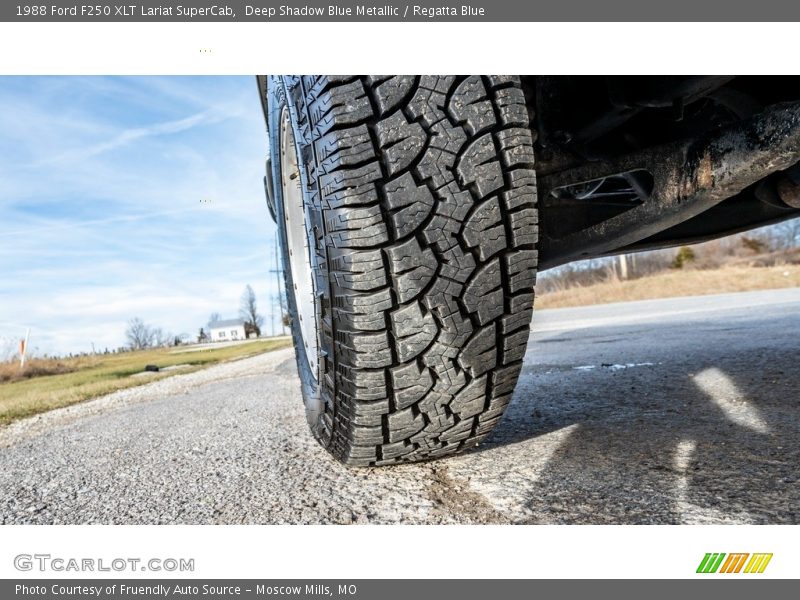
(53, 383)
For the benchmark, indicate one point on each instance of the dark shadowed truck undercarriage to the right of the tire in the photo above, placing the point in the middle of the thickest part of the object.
(633, 163)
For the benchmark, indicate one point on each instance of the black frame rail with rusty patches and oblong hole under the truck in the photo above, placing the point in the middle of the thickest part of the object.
(689, 177)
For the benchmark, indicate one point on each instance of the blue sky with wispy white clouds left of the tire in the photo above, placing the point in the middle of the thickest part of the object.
(129, 197)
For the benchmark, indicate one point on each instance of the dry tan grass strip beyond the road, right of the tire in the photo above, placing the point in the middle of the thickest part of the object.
(683, 282)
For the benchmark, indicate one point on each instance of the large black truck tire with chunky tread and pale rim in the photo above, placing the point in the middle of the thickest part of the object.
(406, 210)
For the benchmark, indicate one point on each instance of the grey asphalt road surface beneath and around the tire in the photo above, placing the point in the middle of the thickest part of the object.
(671, 411)
